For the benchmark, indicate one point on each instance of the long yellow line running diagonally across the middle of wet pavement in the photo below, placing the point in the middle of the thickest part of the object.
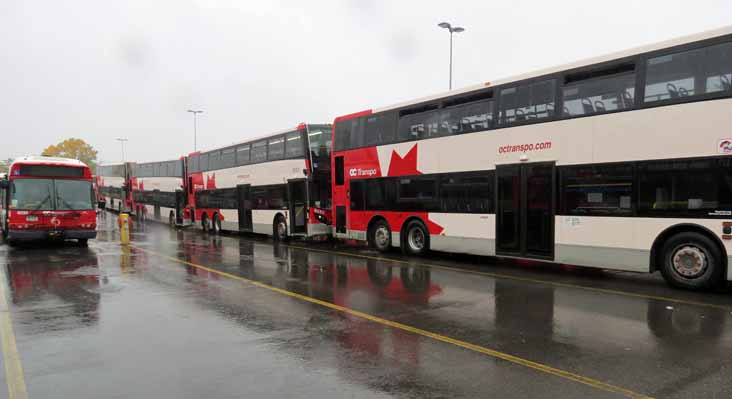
(466, 345)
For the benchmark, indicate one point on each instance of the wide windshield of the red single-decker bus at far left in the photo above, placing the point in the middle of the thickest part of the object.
(50, 194)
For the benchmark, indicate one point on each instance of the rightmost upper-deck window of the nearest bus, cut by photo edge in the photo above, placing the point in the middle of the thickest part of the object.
(689, 73)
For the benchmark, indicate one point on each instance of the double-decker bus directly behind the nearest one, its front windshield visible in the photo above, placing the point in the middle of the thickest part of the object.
(277, 185)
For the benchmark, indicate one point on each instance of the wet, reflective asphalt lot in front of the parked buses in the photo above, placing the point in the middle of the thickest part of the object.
(182, 314)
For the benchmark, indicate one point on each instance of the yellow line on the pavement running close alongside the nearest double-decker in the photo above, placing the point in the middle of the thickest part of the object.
(518, 278)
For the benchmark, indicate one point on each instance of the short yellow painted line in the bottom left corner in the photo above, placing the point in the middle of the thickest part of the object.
(11, 357)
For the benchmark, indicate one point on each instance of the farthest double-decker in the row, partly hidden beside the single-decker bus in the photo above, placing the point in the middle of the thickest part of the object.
(113, 182)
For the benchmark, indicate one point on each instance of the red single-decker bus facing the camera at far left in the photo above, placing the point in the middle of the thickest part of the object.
(46, 197)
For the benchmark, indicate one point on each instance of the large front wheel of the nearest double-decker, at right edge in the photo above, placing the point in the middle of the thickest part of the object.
(692, 261)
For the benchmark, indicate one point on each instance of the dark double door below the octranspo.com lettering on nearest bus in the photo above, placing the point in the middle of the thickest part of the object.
(525, 211)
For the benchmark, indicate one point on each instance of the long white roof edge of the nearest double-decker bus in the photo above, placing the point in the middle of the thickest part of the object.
(727, 30)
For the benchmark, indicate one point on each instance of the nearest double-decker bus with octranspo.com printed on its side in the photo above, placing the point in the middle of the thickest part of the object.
(618, 162)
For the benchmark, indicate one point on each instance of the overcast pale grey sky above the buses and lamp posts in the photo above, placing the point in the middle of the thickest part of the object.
(98, 70)
